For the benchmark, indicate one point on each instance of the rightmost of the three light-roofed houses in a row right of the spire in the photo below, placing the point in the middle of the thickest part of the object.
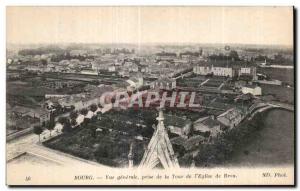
(231, 118)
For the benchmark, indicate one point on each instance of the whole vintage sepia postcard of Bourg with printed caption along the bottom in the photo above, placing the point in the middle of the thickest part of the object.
(150, 95)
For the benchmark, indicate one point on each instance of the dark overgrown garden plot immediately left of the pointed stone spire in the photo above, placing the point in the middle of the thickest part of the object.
(109, 148)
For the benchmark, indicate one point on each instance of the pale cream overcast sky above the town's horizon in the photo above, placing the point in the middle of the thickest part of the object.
(245, 25)
